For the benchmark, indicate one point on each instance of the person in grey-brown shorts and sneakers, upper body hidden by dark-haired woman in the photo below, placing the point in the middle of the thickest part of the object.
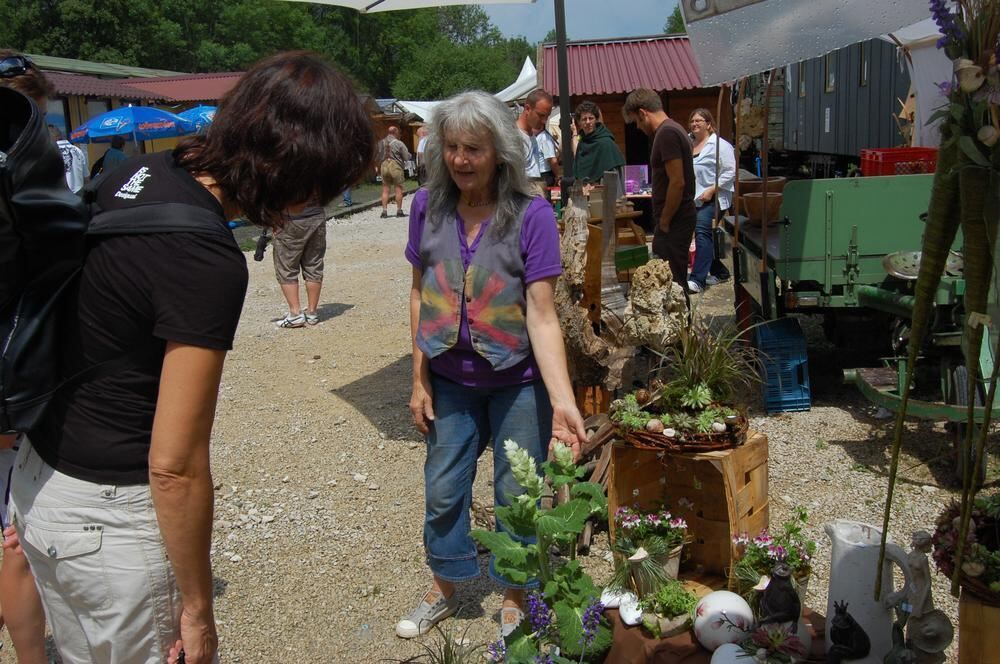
(300, 247)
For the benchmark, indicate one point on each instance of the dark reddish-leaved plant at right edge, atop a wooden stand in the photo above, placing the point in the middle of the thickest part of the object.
(980, 573)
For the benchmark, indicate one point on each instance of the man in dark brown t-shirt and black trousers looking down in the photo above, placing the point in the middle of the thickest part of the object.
(672, 169)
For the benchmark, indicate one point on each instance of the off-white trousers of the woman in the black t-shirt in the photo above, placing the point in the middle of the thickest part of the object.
(99, 564)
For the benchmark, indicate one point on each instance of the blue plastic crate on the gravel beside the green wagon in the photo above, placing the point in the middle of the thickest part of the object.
(784, 366)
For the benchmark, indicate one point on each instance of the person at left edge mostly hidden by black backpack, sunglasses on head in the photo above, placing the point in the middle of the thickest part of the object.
(20, 607)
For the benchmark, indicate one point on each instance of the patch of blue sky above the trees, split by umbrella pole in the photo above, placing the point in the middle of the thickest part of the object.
(585, 19)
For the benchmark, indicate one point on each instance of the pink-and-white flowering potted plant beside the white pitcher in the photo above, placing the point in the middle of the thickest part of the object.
(757, 556)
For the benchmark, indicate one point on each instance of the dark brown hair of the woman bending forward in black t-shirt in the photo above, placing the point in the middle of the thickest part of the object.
(292, 130)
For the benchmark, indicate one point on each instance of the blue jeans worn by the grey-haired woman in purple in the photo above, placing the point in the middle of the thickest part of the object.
(465, 421)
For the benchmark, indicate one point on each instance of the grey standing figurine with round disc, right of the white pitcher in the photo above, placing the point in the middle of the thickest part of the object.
(928, 630)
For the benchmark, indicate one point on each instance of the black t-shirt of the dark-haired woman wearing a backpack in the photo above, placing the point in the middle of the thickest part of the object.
(136, 293)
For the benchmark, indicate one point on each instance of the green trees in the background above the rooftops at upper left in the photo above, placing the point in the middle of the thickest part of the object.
(427, 53)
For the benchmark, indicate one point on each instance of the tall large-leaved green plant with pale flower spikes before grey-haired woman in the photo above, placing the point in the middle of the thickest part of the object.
(579, 632)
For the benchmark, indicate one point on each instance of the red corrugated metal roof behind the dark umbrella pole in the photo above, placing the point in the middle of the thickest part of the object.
(621, 65)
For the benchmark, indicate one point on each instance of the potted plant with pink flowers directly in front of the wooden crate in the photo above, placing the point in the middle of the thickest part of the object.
(647, 549)
